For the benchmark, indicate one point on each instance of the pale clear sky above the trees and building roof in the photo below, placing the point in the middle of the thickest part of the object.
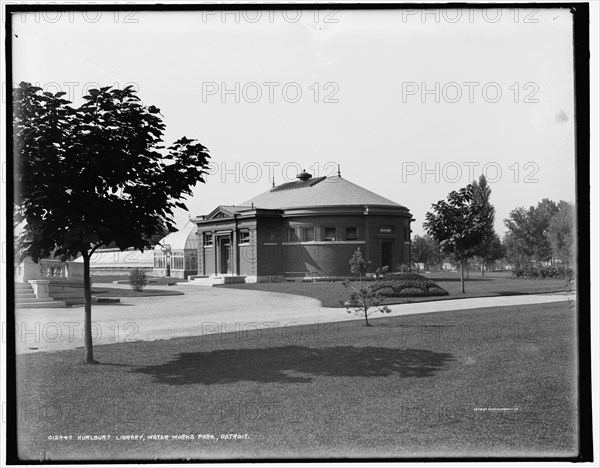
(410, 104)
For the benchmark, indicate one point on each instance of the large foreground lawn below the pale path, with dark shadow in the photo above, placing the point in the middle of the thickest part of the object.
(486, 382)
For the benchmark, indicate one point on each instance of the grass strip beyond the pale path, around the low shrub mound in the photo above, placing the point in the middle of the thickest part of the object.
(493, 284)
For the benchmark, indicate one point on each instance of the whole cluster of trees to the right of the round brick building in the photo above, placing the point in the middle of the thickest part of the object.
(460, 230)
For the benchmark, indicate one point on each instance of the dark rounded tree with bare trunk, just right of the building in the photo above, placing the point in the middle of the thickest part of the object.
(458, 225)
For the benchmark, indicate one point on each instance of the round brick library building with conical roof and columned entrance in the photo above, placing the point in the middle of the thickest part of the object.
(308, 228)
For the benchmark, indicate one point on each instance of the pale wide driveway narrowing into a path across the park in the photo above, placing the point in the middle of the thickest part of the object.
(203, 310)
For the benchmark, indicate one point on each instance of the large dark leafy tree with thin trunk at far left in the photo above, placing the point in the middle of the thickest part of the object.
(95, 175)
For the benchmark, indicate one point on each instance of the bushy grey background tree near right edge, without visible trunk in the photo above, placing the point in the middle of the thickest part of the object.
(526, 239)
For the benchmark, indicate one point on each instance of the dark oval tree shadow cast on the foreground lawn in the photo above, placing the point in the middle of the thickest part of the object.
(296, 364)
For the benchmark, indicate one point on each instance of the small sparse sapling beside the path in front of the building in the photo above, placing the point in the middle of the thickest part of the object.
(363, 298)
